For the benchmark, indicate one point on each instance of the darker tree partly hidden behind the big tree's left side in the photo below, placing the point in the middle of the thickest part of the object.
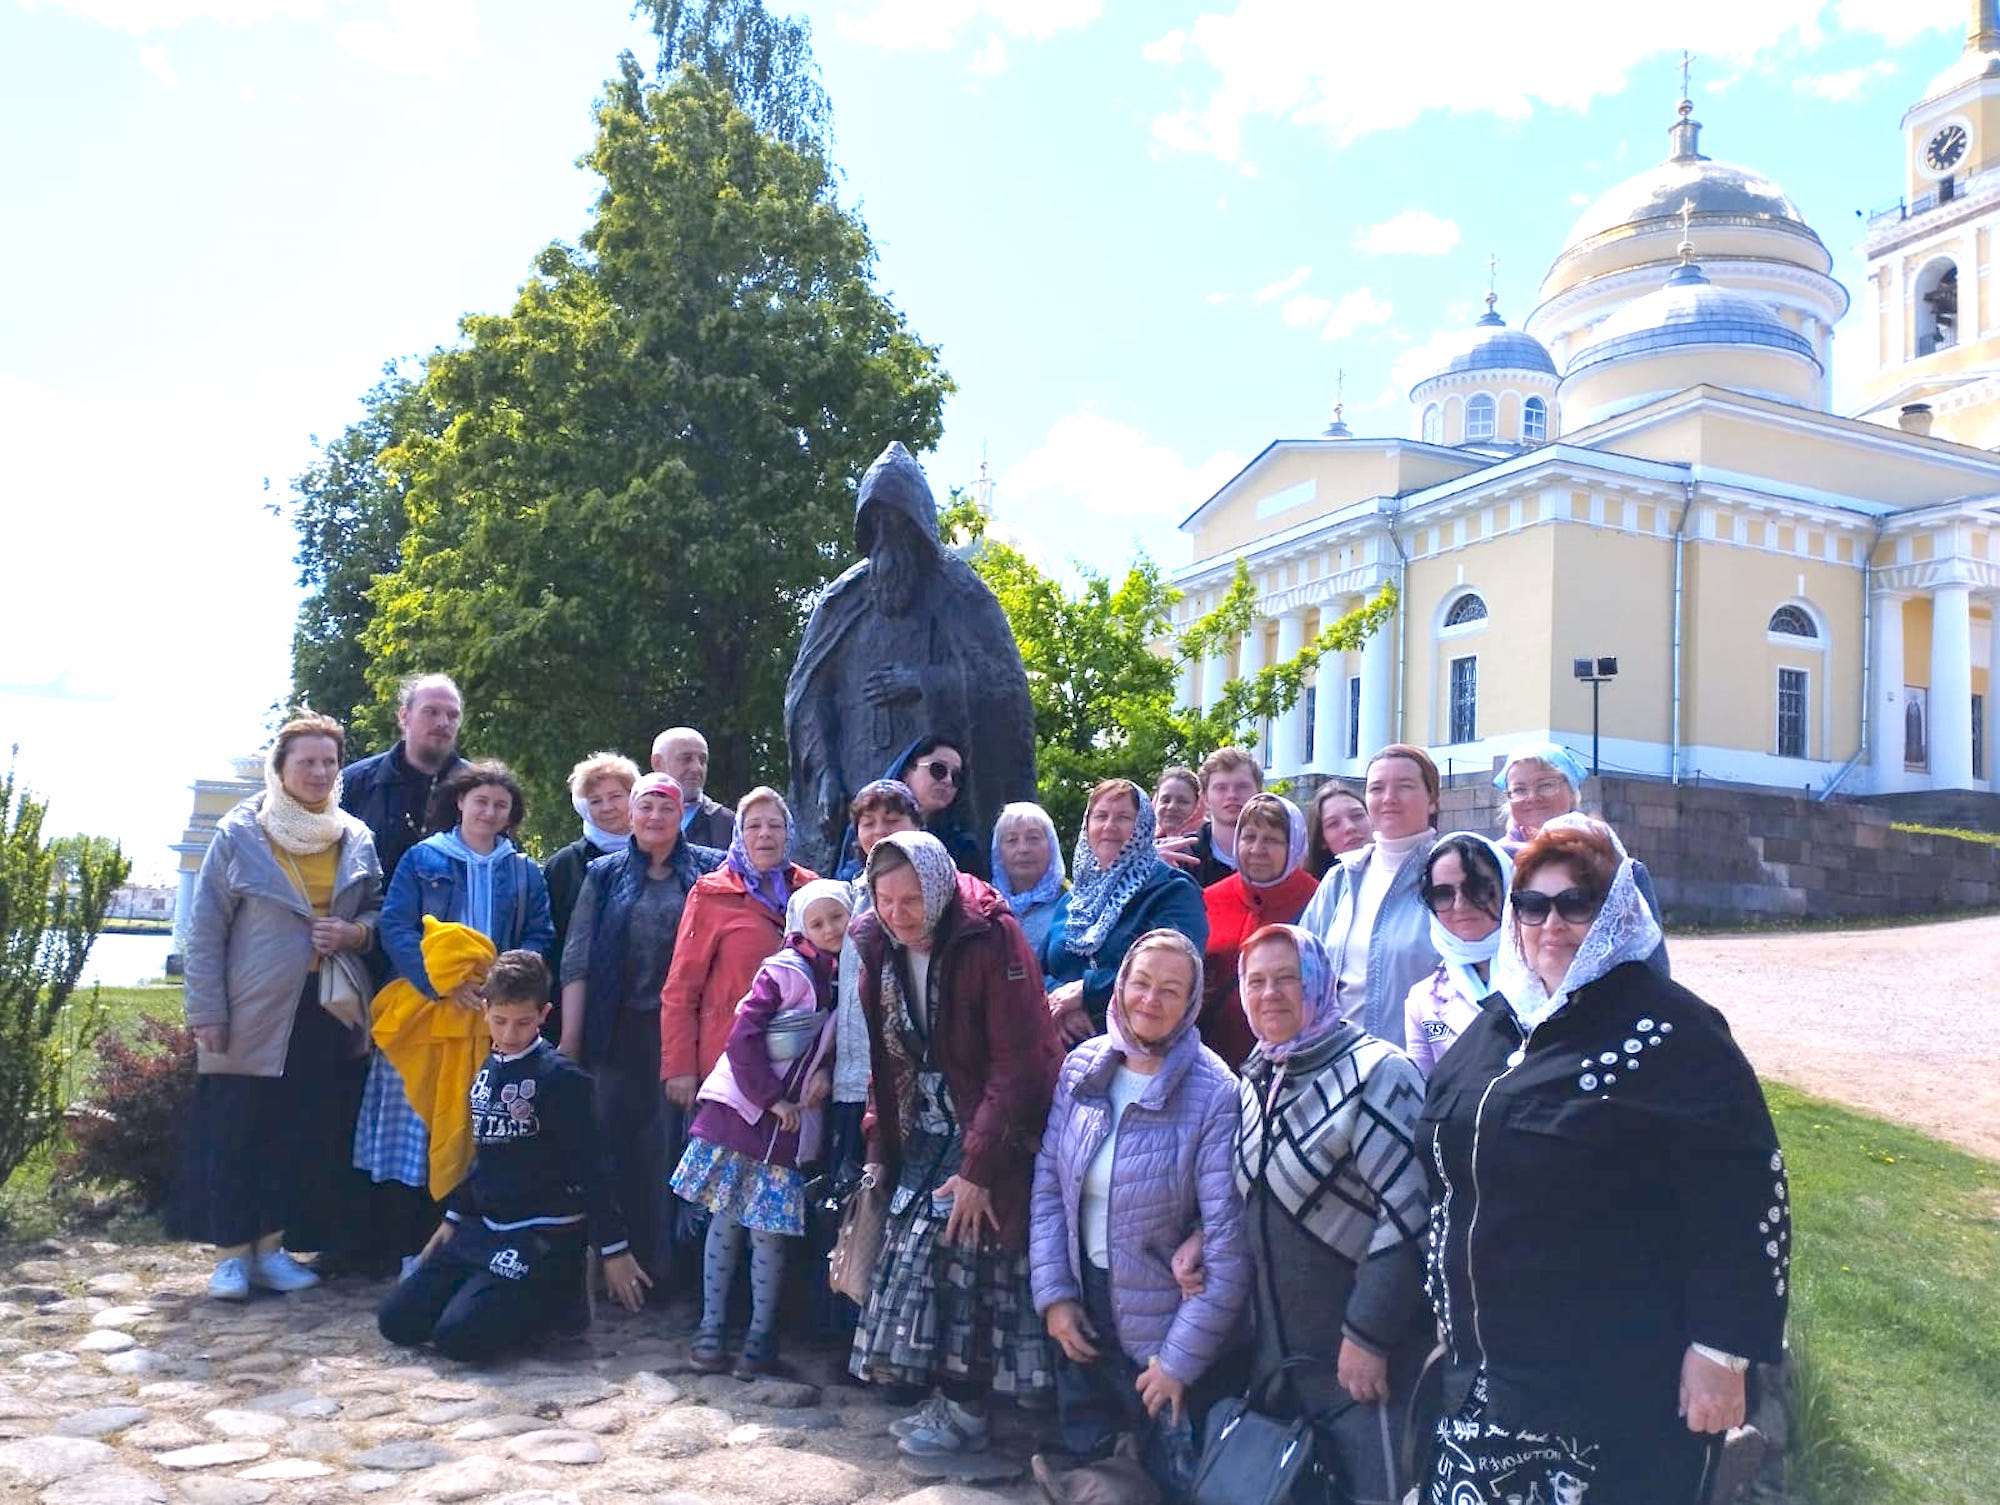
(349, 513)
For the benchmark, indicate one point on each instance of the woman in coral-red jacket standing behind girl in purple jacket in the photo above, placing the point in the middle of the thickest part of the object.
(733, 922)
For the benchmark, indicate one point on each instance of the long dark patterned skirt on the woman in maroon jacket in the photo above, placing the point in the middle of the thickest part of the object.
(941, 1312)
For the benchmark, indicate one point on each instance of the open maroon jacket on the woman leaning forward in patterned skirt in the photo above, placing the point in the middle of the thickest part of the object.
(997, 1046)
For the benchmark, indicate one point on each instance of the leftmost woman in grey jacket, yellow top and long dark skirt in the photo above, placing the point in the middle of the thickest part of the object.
(289, 882)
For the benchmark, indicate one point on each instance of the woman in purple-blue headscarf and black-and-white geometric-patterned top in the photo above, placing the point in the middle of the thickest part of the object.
(1335, 1210)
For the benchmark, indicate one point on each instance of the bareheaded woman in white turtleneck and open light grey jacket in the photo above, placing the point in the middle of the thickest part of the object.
(1371, 908)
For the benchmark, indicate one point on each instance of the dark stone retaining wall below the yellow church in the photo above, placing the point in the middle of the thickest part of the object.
(1731, 856)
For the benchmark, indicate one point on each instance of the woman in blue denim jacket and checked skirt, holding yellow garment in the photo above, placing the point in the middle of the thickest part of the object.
(469, 874)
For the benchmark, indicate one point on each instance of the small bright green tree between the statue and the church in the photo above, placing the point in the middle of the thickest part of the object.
(1105, 665)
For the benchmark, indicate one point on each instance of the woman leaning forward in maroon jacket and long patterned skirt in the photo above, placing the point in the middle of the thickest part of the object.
(965, 1068)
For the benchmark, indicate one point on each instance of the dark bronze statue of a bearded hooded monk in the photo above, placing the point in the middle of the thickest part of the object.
(907, 645)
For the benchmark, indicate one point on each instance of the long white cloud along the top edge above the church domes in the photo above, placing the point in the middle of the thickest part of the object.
(1317, 65)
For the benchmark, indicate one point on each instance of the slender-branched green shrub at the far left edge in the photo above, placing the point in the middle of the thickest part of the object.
(53, 900)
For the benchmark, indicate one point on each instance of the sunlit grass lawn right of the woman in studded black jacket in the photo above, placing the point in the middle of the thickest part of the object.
(1895, 1310)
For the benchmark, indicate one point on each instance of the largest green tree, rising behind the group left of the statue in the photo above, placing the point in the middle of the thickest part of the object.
(625, 491)
